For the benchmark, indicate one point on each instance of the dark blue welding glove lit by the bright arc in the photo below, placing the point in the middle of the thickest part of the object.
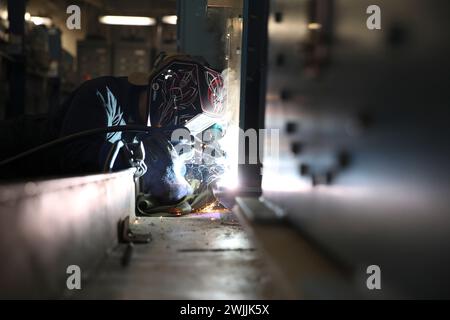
(164, 179)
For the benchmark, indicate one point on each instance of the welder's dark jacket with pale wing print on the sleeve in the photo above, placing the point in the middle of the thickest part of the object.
(102, 102)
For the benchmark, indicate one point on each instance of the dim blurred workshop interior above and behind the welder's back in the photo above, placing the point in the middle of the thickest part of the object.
(58, 59)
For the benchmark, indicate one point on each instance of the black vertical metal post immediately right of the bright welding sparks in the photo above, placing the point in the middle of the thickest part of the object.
(253, 86)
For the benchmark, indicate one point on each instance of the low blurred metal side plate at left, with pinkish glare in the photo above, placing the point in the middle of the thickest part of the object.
(48, 225)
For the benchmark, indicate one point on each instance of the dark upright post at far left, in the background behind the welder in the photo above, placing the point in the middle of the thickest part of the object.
(16, 16)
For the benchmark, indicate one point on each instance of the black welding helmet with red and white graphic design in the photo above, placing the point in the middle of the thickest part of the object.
(185, 91)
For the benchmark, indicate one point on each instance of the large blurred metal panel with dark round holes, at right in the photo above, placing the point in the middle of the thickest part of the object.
(364, 158)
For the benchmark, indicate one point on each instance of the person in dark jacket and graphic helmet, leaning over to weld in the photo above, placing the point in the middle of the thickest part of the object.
(180, 91)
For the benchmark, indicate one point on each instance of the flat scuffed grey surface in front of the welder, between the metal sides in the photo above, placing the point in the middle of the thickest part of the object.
(199, 256)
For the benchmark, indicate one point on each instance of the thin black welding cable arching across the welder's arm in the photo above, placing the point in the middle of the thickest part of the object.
(81, 134)
